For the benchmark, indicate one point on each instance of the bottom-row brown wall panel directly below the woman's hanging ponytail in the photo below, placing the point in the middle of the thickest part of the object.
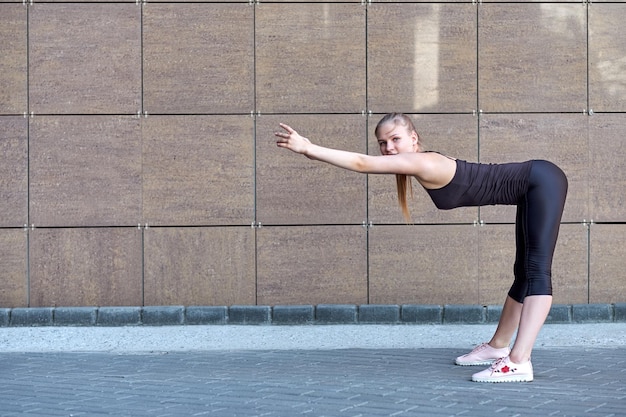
(423, 264)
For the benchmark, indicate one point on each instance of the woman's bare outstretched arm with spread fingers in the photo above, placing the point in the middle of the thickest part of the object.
(408, 163)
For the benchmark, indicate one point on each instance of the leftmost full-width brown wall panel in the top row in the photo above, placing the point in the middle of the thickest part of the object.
(85, 58)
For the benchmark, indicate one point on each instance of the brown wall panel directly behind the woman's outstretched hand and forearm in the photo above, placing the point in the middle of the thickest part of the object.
(294, 190)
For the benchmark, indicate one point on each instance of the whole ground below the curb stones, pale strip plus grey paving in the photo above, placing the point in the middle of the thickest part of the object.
(580, 370)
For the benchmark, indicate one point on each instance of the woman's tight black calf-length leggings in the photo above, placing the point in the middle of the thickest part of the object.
(536, 230)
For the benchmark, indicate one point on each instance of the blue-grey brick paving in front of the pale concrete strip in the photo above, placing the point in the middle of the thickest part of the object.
(367, 382)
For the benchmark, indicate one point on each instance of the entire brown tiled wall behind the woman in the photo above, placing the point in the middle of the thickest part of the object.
(138, 164)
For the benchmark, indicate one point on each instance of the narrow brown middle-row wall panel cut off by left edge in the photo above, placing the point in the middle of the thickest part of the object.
(13, 171)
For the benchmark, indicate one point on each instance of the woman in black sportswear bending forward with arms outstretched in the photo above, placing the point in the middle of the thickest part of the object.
(537, 188)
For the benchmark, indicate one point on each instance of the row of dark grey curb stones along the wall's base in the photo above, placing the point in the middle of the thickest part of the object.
(294, 314)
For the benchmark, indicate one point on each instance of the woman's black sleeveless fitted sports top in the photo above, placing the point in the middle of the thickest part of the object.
(476, 184)
